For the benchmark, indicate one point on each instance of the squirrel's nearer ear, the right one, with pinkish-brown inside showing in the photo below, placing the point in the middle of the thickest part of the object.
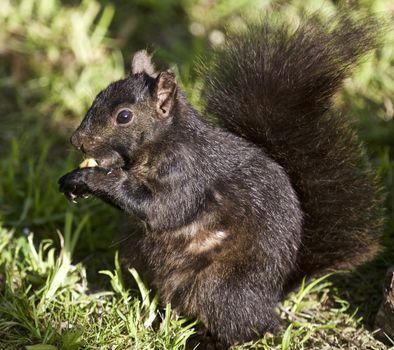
(164, 93)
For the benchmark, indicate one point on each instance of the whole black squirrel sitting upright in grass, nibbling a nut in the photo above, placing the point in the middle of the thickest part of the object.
(238, 211)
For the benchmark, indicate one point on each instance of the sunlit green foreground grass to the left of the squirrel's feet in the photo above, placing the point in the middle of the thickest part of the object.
(48, 302)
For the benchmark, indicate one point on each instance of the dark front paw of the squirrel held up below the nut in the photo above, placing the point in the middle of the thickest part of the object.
(75, 184)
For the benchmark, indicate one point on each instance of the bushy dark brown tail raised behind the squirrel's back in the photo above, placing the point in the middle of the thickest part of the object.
(274, 86)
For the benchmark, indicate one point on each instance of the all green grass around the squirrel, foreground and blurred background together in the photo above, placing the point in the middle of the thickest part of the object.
(60, 284)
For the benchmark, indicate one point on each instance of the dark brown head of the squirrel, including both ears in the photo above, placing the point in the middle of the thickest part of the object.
(128, 114)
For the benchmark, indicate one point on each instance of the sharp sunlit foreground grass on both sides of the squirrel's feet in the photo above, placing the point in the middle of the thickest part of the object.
(47, 301)
